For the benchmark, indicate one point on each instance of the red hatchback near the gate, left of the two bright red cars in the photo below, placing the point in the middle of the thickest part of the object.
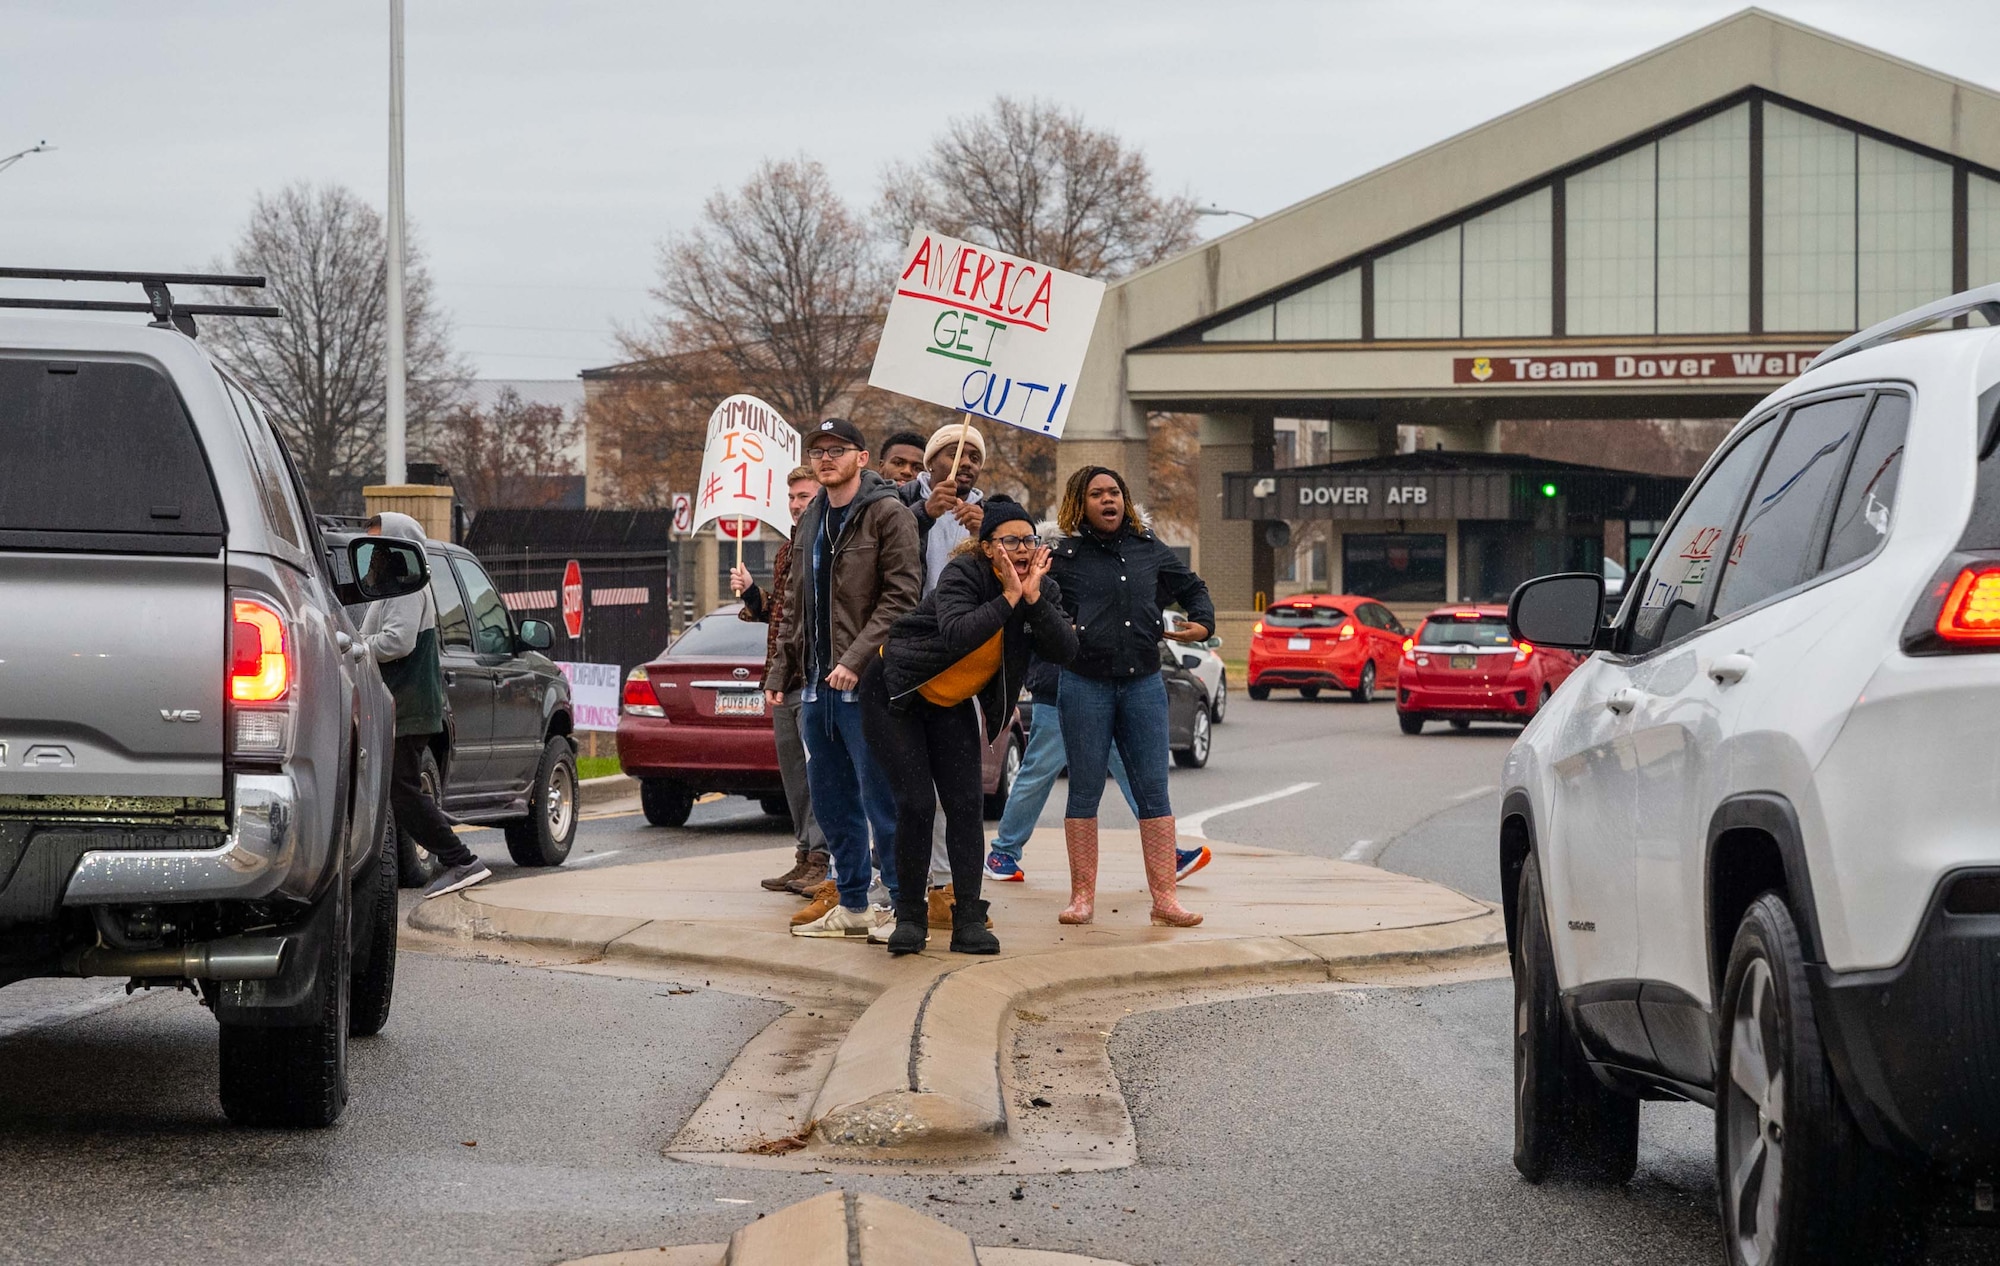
(1317, 641)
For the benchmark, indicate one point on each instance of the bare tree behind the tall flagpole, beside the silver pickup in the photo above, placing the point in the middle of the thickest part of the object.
(321, 369)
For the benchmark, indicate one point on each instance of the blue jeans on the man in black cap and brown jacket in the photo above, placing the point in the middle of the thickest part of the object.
(849, 795)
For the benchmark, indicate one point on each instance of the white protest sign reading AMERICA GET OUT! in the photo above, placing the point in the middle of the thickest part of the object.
(987, 333)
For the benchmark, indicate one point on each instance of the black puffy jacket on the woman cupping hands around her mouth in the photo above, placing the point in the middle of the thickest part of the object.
(963, 615)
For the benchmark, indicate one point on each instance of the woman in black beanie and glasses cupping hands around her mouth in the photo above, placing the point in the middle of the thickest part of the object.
(969, 639)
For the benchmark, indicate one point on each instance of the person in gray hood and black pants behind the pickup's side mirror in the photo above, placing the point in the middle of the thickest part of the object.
(403, 637)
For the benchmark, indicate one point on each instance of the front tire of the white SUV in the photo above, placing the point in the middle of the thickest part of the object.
(1565, 1121)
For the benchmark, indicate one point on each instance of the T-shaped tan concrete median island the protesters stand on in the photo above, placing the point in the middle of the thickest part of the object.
(941, 1057)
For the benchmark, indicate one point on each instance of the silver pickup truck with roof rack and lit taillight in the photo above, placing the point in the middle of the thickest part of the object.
(195, 745)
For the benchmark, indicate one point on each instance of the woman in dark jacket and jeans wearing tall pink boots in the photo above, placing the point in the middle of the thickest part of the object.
(1115, 577)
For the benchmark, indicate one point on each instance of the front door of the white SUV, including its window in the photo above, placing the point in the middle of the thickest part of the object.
(1599, 767)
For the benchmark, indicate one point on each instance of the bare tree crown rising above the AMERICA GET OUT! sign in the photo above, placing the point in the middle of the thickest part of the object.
(1035, 181)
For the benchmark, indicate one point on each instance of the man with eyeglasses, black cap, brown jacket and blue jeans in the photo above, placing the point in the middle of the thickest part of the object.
(857, 571)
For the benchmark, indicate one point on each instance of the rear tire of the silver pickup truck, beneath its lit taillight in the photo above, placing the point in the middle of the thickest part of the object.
(297, 1075)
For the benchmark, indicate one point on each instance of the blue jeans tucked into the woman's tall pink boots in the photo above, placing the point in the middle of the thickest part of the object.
(1127, 715)
